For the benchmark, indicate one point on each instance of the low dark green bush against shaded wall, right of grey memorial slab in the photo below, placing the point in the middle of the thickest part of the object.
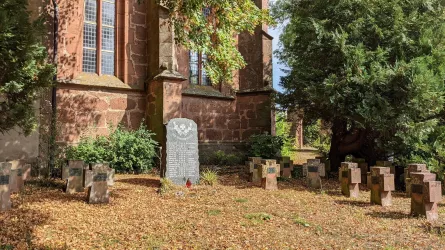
(265, 146)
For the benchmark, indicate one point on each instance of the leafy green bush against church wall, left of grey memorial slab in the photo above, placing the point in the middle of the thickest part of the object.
(126, 151)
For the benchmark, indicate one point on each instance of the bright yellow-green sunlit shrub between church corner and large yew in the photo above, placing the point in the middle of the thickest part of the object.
(283, 128)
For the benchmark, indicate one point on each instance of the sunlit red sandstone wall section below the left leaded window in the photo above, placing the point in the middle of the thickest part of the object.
(90, 113)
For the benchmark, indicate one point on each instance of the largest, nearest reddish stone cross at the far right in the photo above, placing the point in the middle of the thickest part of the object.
(425, 194)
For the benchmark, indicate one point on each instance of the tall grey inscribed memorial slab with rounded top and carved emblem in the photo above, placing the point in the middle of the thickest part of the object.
(182, 151)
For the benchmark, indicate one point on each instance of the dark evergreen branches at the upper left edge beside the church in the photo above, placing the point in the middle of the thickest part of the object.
(24, 70)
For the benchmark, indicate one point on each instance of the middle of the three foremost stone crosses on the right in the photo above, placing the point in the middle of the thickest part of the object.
(382, 184)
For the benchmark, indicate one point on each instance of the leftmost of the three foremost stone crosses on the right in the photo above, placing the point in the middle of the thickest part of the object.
(350, 179)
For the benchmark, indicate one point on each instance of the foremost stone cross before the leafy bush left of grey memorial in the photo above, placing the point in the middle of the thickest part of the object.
(98, 191)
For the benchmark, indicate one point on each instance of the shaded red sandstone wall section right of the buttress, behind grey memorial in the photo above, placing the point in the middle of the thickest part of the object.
(229, 120)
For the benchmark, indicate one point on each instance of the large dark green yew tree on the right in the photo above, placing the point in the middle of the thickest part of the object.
(372, 69)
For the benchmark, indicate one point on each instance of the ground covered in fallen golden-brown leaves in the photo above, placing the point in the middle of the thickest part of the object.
(232, 215)
